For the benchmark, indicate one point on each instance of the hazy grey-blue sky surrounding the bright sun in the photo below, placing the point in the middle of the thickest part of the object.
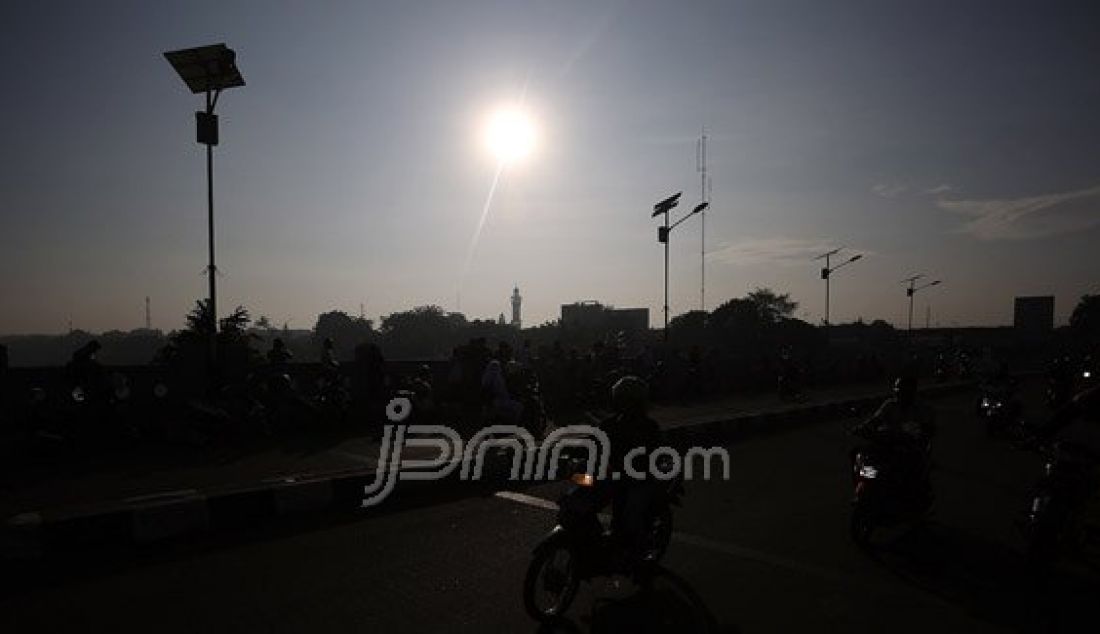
(955, 139)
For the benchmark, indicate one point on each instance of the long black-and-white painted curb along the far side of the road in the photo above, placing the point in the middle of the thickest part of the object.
(175, 516)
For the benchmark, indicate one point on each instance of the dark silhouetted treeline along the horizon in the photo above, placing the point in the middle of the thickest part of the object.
(762, 323)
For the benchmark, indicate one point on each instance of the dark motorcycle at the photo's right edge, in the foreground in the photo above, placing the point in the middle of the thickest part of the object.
(1054, 520)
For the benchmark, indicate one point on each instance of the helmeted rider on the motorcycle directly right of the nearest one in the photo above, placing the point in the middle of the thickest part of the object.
(903, 428)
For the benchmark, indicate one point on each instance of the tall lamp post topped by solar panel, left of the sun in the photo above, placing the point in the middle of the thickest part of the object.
(208, 71)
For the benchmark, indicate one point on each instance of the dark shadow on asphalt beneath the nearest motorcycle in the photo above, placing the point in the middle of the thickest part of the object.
(670, 606)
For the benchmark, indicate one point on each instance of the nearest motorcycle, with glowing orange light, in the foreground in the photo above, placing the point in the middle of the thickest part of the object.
(581, 549)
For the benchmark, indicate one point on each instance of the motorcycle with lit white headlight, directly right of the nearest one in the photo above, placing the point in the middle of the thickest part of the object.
(884, 494)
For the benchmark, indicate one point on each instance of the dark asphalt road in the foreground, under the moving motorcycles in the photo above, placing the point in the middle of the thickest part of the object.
(766, 552)
